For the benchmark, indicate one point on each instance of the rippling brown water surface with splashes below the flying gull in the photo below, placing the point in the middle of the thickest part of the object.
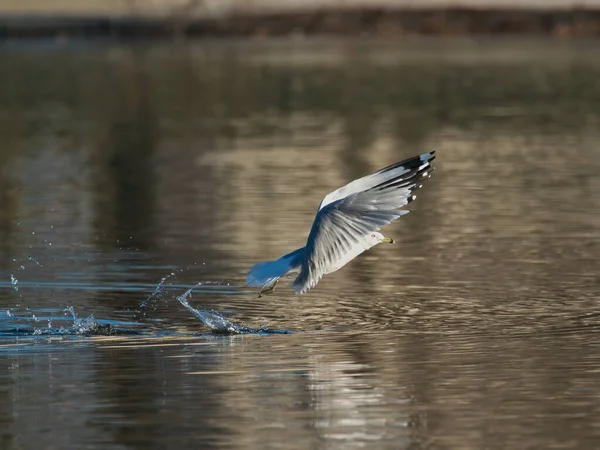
(123, 165)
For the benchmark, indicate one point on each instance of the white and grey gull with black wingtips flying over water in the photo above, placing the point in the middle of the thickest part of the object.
(347, 224)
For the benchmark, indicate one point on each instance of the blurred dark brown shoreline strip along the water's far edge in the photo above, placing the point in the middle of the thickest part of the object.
(376, 21)
